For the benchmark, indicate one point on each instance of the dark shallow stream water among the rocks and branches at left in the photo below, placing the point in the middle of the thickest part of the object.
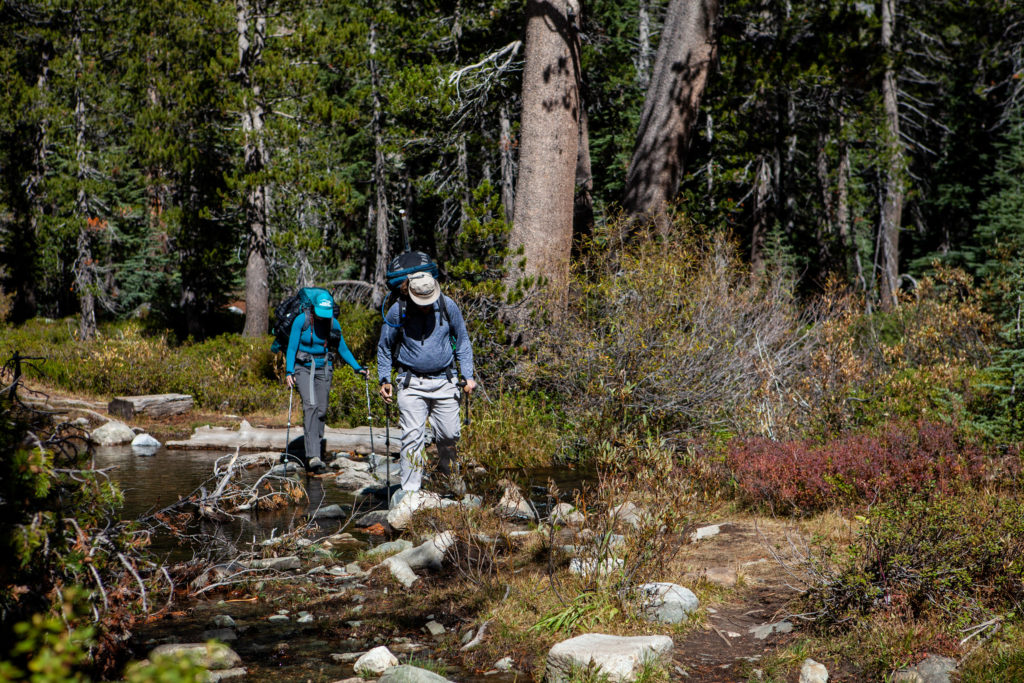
(283, 653)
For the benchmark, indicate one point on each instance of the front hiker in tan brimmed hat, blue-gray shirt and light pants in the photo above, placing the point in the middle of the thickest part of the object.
(423, 336)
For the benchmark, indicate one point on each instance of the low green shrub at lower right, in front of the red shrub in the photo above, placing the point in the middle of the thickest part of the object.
(959, 558)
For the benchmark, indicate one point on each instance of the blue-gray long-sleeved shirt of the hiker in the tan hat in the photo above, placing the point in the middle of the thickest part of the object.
(425, 348)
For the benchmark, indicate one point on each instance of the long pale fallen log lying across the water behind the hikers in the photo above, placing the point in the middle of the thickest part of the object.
(248, 438)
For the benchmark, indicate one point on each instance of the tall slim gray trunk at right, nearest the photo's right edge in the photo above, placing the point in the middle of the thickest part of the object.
(892, 204)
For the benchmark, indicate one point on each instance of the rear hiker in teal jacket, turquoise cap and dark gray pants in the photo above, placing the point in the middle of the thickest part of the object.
(309, 366)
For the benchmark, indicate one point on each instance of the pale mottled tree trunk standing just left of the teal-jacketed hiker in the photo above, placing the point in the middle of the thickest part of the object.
(258, 200)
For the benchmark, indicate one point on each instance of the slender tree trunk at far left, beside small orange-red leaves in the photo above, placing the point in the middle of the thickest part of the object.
(86, 280)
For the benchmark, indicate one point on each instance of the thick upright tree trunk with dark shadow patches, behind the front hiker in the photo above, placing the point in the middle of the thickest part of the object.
(542, 227)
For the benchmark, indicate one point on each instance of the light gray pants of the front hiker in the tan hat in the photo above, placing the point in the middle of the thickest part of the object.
(437, 400)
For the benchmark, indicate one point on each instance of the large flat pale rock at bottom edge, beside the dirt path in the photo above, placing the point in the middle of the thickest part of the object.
(618, 658)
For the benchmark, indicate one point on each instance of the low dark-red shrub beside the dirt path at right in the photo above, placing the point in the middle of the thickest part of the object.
(802, 477)
